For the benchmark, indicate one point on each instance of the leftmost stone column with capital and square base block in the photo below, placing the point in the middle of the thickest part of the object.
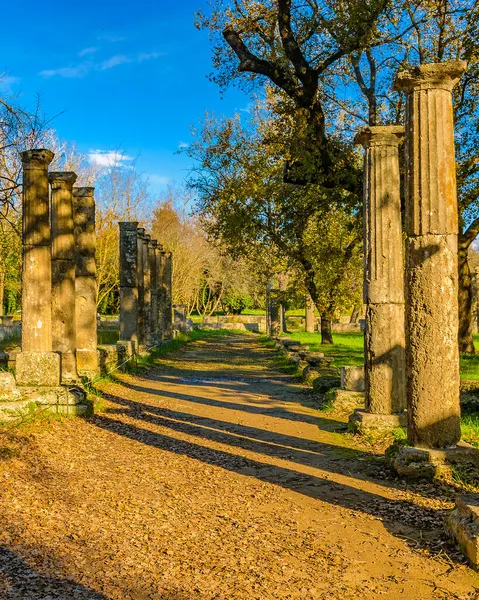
(37, 364)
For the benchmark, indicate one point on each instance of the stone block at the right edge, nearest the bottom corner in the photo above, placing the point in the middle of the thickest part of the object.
(463, 525)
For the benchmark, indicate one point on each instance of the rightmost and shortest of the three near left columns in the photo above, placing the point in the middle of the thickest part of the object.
(85, 281)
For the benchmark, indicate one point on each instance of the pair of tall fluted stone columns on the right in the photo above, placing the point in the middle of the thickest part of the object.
(412, 356)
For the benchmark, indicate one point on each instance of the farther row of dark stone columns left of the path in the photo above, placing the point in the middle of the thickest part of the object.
(145, 288)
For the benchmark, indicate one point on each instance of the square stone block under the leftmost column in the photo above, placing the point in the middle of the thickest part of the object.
(38, 369)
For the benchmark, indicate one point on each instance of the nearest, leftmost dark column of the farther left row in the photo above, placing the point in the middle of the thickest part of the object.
(129, 282)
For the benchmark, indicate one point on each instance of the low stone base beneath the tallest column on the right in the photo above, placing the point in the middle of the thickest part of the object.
(428, 463)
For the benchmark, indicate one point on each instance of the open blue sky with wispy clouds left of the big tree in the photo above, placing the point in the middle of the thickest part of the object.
(129, 75)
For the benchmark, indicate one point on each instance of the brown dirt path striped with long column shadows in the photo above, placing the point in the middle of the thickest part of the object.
(212, 478)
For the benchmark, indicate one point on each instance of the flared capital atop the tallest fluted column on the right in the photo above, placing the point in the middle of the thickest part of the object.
(443, 76)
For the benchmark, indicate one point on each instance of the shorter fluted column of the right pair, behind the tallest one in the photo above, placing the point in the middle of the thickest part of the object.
(385, 383)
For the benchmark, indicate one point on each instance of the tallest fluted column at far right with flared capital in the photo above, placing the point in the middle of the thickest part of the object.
(432, 355)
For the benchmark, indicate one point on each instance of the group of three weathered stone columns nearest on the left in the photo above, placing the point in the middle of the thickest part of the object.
(59, 328)
